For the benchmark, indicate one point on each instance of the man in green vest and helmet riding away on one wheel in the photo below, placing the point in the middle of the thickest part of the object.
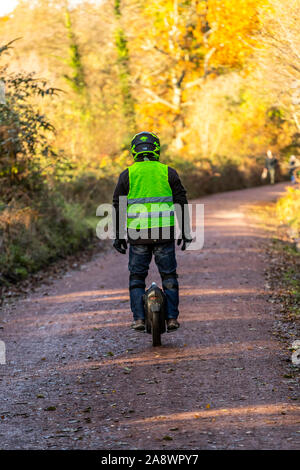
(154, 193)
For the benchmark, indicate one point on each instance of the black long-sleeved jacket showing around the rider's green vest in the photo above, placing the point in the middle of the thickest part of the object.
(179, 197)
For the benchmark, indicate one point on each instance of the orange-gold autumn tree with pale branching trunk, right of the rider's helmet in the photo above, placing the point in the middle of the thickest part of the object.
(185, 44)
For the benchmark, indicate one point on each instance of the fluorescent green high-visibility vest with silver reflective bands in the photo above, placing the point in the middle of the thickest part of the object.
(150, 200)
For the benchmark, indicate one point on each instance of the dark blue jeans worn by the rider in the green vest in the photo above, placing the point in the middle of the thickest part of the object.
(139, 260)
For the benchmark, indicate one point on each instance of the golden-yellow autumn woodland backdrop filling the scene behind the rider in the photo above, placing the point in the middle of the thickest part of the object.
(218, 80)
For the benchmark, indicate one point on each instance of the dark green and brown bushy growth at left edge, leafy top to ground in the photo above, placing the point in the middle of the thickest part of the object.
(37, 223)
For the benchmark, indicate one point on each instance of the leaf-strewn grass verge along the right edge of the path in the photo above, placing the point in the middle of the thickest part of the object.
(282, 279)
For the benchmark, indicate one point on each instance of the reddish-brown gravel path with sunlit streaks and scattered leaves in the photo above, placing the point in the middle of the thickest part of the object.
(78, 377)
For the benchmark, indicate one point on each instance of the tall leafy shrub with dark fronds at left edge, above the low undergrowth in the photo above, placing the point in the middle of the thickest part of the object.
(24, 133)
